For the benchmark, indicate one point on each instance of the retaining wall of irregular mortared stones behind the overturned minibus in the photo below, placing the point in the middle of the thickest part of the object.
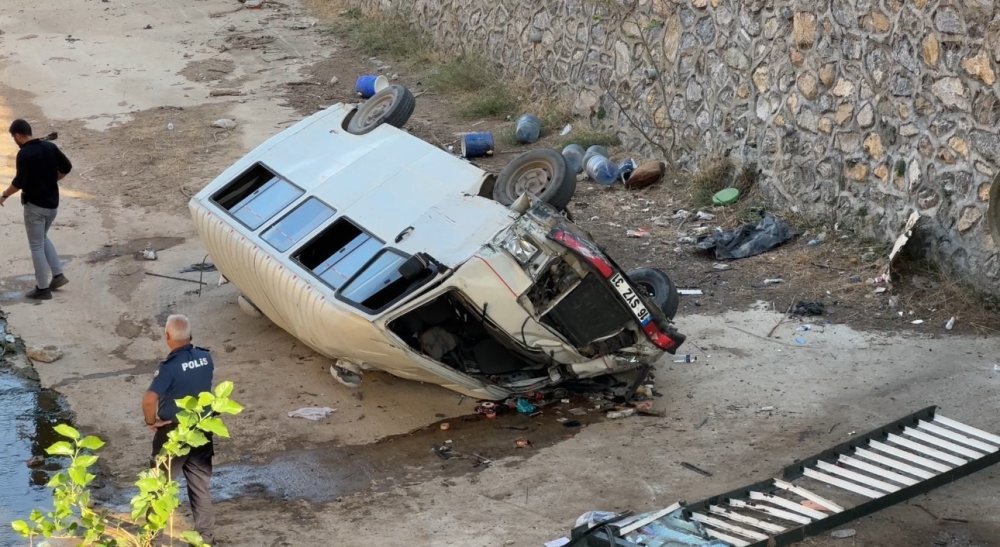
(856, 111)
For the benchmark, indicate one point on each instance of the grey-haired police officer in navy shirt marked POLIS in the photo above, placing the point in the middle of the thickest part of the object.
(186, 371)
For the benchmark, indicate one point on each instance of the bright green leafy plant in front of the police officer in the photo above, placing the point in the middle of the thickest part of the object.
(73, 514)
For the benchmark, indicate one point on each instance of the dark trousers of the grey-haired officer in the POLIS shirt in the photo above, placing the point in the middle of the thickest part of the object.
(197, 470)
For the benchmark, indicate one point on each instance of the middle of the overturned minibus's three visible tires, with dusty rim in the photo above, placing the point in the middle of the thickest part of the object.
(542, 172)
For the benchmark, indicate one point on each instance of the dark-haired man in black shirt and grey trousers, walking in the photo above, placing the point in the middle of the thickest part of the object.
(40, 166)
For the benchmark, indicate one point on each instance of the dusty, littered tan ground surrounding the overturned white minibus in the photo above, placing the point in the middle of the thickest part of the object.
(134, 107)
